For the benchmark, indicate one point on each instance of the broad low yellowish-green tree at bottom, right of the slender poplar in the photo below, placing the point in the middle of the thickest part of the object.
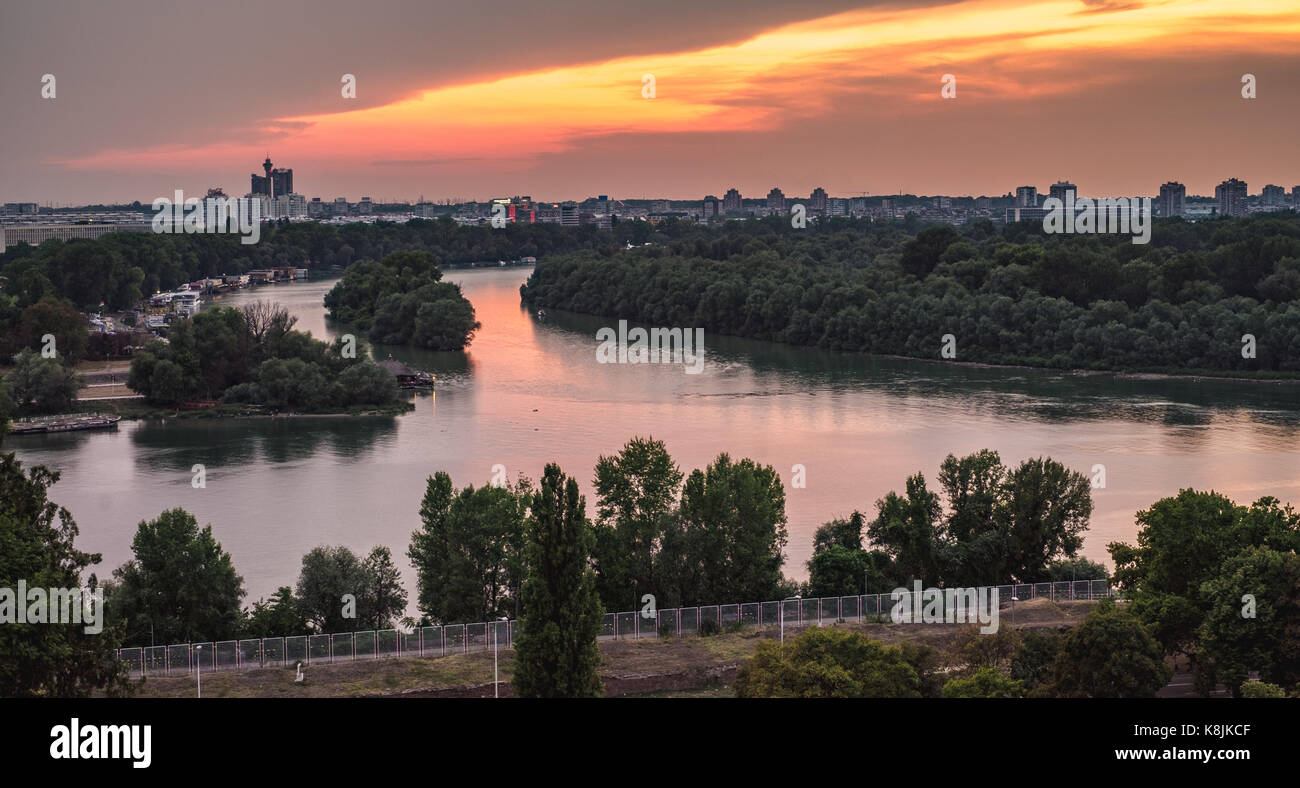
(827, 664)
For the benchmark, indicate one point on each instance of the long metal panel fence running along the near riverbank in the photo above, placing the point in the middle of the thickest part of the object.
(453, 639)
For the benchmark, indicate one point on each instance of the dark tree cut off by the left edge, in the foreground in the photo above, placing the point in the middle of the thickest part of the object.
(37, 545)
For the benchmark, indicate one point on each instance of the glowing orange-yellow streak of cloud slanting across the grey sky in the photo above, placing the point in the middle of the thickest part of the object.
(998, 49)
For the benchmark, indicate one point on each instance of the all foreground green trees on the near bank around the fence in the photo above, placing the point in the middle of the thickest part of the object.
(531, 553)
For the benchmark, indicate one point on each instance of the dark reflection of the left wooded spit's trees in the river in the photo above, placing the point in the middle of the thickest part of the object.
(175, 445)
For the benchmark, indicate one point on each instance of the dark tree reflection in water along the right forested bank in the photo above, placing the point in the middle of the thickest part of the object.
(1039, 395)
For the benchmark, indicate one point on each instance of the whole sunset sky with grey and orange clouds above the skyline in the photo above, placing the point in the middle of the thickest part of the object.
(456, 101)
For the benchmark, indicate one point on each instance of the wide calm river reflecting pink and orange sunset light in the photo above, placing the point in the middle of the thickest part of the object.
(528, 393)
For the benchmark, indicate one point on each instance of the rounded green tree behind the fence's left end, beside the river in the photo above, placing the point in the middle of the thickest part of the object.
(180, 587)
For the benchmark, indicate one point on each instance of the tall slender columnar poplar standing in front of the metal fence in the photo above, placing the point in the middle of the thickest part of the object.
(557, 655)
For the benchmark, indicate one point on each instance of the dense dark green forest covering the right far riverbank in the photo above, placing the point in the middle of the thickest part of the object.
(1013, 295)
